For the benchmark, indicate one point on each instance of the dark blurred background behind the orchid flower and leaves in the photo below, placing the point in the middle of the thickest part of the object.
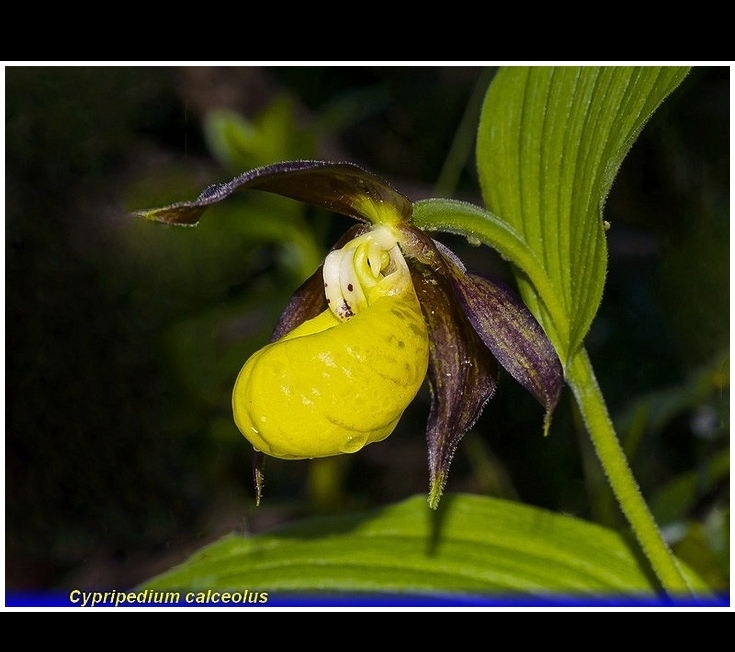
(123, 338)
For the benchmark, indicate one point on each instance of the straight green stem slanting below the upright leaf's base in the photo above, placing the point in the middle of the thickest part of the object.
(581, 378)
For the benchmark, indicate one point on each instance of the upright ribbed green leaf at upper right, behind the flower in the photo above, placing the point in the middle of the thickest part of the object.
(550, 142)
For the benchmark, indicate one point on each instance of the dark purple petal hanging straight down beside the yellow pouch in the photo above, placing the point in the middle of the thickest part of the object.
(462, 374)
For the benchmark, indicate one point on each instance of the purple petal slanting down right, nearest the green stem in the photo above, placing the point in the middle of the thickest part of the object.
(510, 331)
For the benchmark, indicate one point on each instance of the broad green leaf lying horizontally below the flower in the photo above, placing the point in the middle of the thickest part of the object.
(471, 546)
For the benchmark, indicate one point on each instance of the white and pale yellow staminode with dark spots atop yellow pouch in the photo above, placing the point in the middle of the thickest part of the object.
(352, 272)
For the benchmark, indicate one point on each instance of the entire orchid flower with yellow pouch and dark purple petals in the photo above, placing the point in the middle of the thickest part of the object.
(388, 307)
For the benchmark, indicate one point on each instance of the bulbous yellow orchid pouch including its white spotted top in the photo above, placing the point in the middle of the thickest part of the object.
(343, 379)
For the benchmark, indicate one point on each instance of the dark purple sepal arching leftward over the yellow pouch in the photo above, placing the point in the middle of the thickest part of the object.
(340, 187)
